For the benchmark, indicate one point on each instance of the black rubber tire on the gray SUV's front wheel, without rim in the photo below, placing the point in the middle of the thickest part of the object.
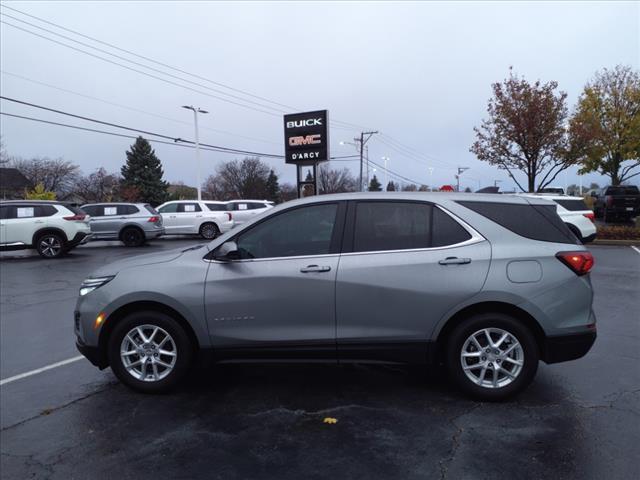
(181, 341)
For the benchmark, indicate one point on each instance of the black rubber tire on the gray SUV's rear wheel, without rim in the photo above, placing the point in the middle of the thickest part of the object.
(477, 323)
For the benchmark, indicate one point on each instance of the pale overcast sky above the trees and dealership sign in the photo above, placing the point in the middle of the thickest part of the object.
(420, 73)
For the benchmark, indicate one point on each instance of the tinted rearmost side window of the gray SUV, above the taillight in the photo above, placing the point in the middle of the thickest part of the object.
(537, 222)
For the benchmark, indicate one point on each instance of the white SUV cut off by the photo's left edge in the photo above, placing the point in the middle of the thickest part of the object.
(52, 228)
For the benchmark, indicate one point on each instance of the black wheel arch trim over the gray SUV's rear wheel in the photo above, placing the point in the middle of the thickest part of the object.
(488, 307)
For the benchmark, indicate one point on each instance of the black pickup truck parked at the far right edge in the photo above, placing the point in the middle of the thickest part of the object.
(616, 203)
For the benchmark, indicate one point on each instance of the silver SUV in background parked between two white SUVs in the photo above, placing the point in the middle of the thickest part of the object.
(131, 223)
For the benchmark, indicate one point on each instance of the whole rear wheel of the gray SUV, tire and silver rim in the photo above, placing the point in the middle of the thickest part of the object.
(492, 356)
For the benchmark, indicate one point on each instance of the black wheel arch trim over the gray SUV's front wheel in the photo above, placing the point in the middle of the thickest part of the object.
(138, 306)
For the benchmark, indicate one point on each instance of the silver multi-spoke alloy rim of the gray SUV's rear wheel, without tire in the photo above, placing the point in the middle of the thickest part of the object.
(492, 358)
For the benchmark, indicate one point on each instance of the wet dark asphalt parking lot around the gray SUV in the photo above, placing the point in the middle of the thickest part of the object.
(578, 420)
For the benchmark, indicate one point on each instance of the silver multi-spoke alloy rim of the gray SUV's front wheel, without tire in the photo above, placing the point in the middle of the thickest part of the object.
(148, 353)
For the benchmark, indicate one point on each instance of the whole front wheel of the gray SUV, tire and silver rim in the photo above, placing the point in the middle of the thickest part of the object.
(149, 352)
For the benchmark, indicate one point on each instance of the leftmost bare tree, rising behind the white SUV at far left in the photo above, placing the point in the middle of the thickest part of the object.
(55, 175)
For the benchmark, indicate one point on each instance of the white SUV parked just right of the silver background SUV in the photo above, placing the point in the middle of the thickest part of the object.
(191, 217)
